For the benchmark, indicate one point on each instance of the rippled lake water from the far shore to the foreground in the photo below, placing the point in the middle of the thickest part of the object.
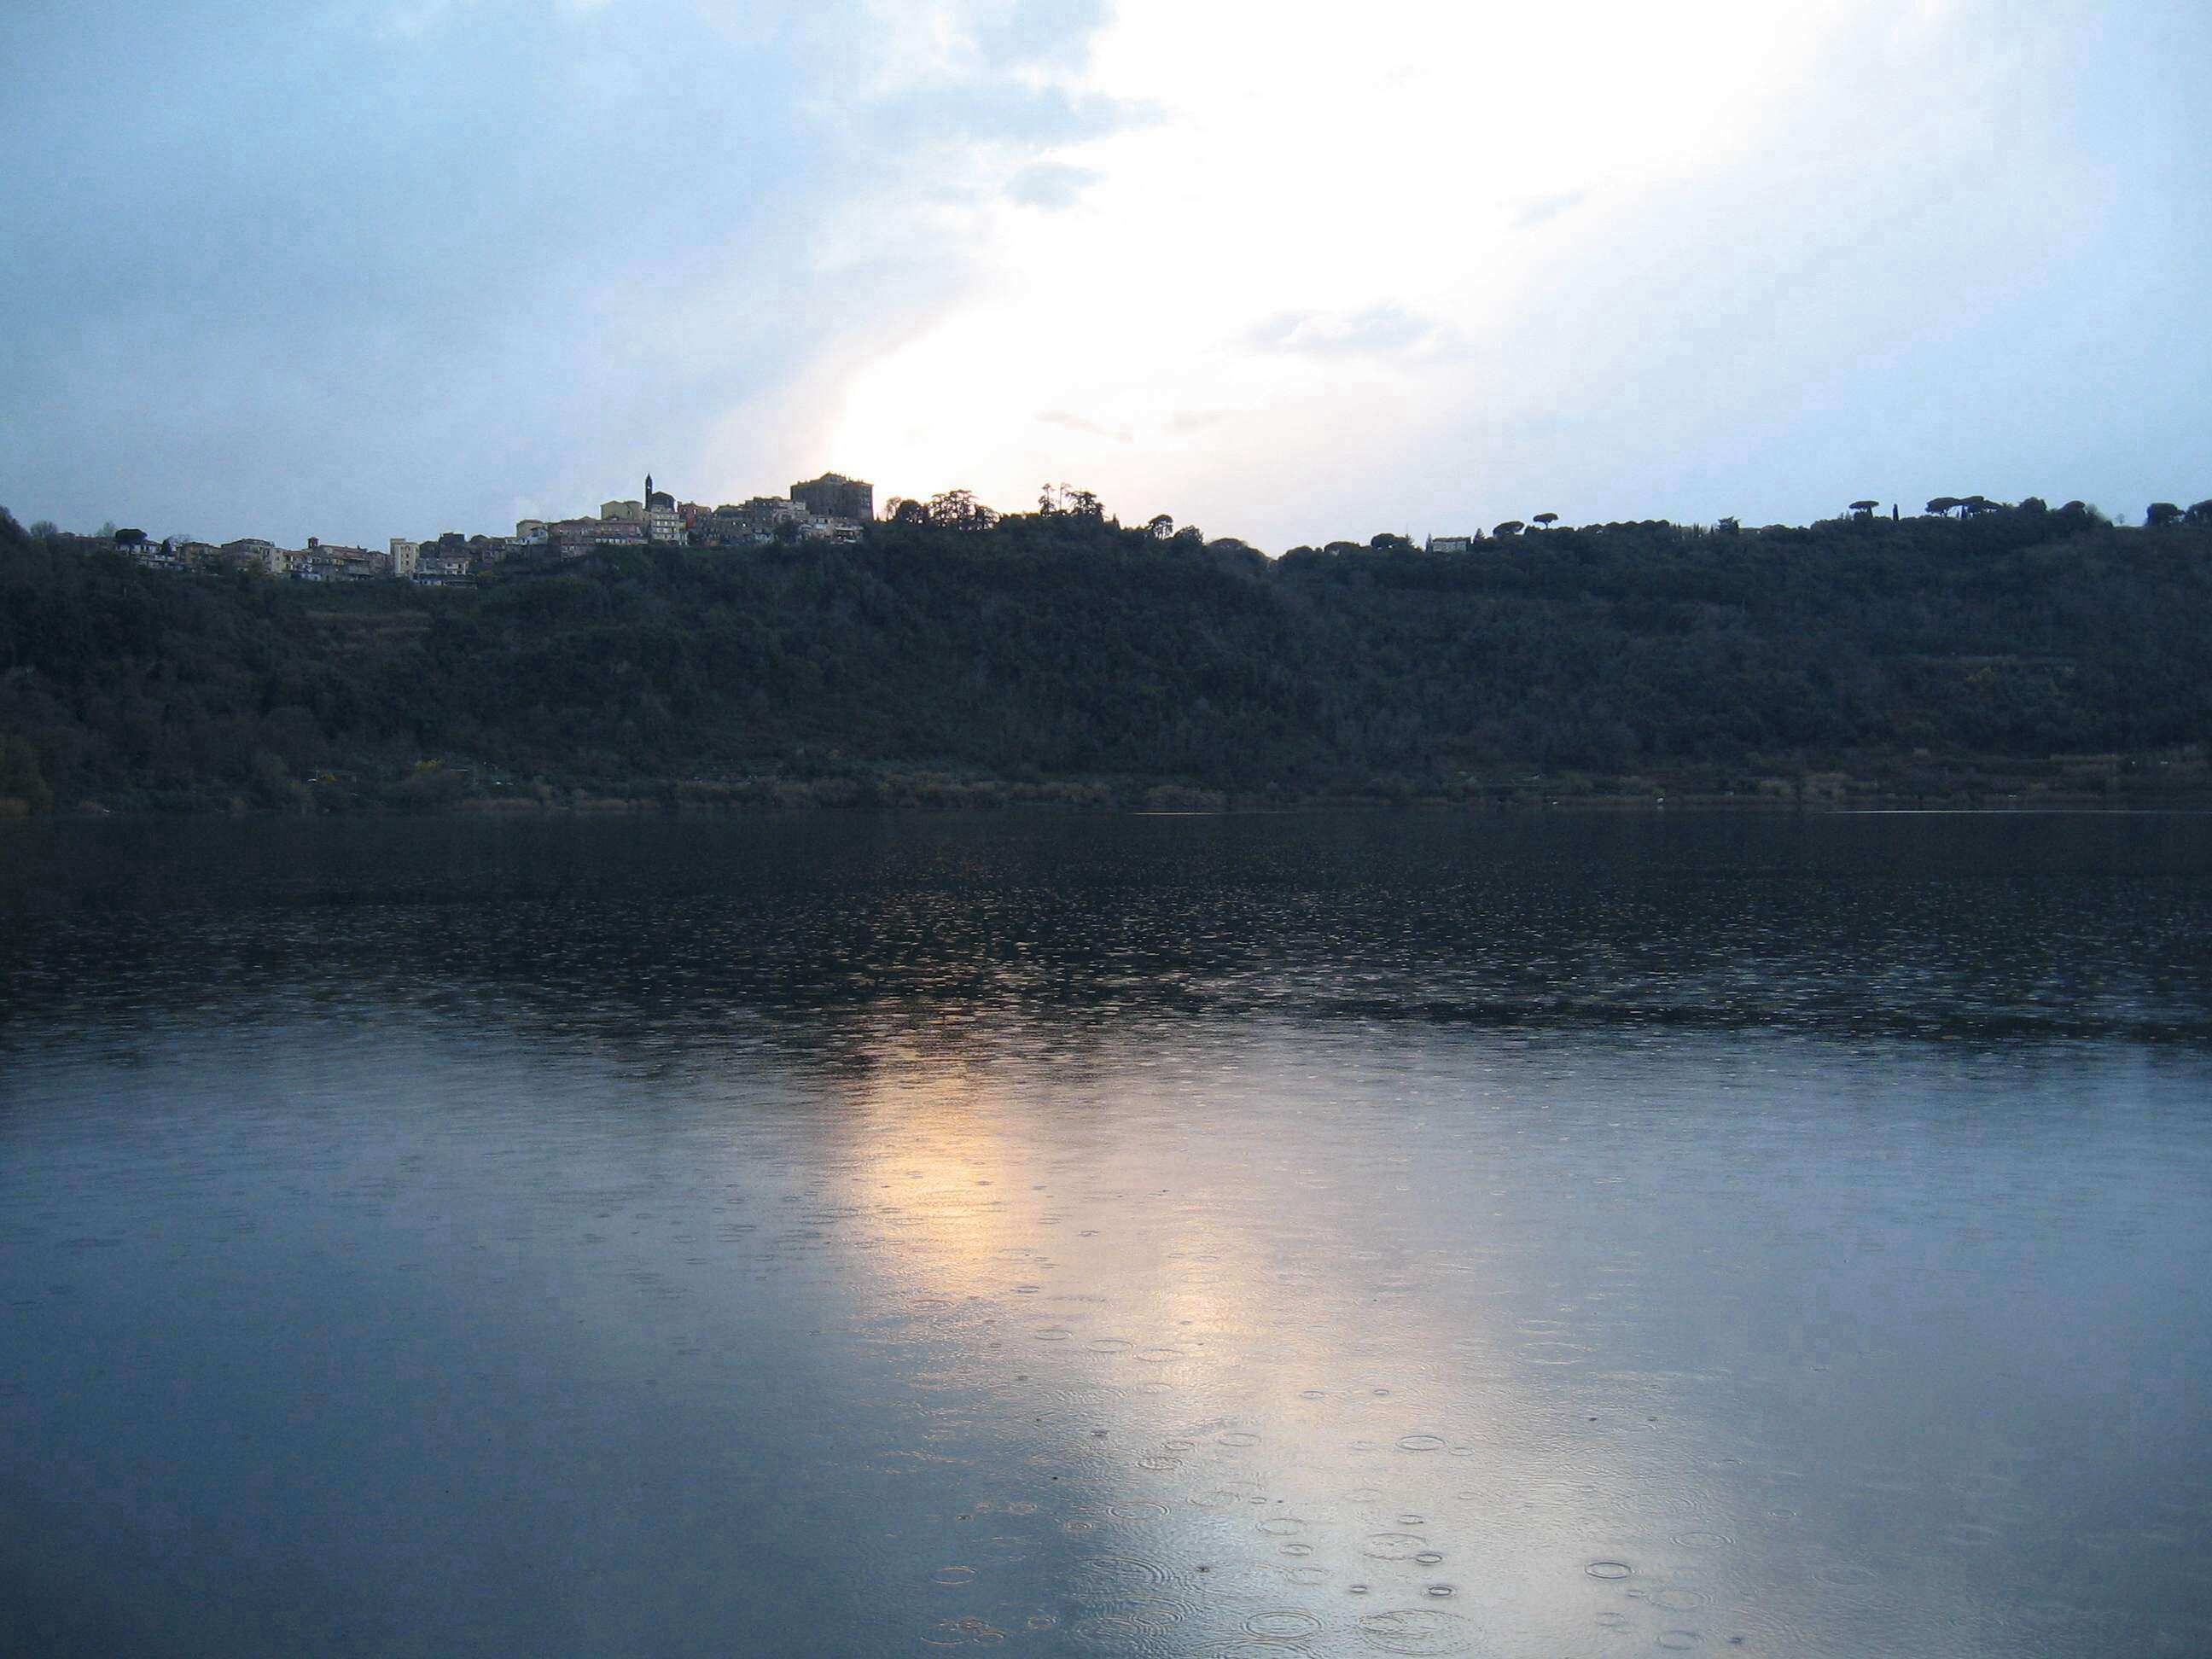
(1350, 1235)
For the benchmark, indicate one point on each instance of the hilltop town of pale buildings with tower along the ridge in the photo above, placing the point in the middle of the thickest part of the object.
(820, 510)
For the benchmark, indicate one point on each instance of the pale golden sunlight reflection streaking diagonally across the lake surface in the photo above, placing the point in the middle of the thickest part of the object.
(1286, 1344)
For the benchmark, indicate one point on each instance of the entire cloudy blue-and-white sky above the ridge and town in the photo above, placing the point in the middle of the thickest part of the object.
(1295, 273)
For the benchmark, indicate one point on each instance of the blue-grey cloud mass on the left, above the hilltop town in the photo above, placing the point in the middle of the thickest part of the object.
(366, 271)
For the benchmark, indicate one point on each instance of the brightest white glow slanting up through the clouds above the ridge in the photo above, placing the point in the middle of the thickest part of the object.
(1317, 213)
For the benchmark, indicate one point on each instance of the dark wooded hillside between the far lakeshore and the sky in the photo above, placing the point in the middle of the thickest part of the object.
(1063, 651)
